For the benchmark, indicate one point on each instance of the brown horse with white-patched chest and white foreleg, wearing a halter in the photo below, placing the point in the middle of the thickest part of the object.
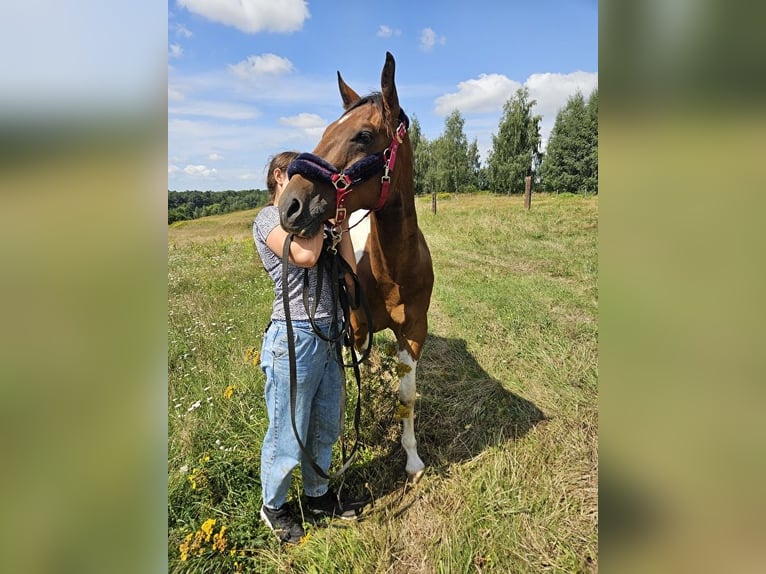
(364, 161)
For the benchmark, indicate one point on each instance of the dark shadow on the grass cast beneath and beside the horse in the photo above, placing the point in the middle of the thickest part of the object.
(460, 412)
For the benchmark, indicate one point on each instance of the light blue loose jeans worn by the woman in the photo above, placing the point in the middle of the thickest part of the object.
(320, 383)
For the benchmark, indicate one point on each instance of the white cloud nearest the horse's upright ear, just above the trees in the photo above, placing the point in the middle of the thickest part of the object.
(487, 93)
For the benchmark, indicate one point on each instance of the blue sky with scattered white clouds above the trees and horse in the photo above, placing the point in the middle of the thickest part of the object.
(250, 78)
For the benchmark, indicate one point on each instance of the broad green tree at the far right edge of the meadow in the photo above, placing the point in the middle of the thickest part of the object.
(571, 158)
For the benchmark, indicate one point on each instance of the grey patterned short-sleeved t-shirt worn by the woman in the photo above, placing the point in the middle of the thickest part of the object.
(265, 222)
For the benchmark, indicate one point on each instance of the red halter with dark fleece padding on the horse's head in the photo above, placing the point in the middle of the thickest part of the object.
(315, 168)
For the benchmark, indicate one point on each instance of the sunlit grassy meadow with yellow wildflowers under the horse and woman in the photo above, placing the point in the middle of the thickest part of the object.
(506, 415)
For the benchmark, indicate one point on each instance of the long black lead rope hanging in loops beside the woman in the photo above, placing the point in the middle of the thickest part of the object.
(338, 267)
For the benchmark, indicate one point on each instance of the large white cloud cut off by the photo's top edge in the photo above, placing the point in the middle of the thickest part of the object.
(252, 15)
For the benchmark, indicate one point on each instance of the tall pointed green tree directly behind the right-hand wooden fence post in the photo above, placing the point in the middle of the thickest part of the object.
(515, 152)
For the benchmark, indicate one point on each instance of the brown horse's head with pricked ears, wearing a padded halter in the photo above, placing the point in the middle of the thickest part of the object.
(349, 168)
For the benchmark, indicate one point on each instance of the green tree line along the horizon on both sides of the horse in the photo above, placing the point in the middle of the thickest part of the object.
(450, 164)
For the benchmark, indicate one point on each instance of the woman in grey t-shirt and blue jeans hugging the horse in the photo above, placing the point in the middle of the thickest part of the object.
(319, 375)
